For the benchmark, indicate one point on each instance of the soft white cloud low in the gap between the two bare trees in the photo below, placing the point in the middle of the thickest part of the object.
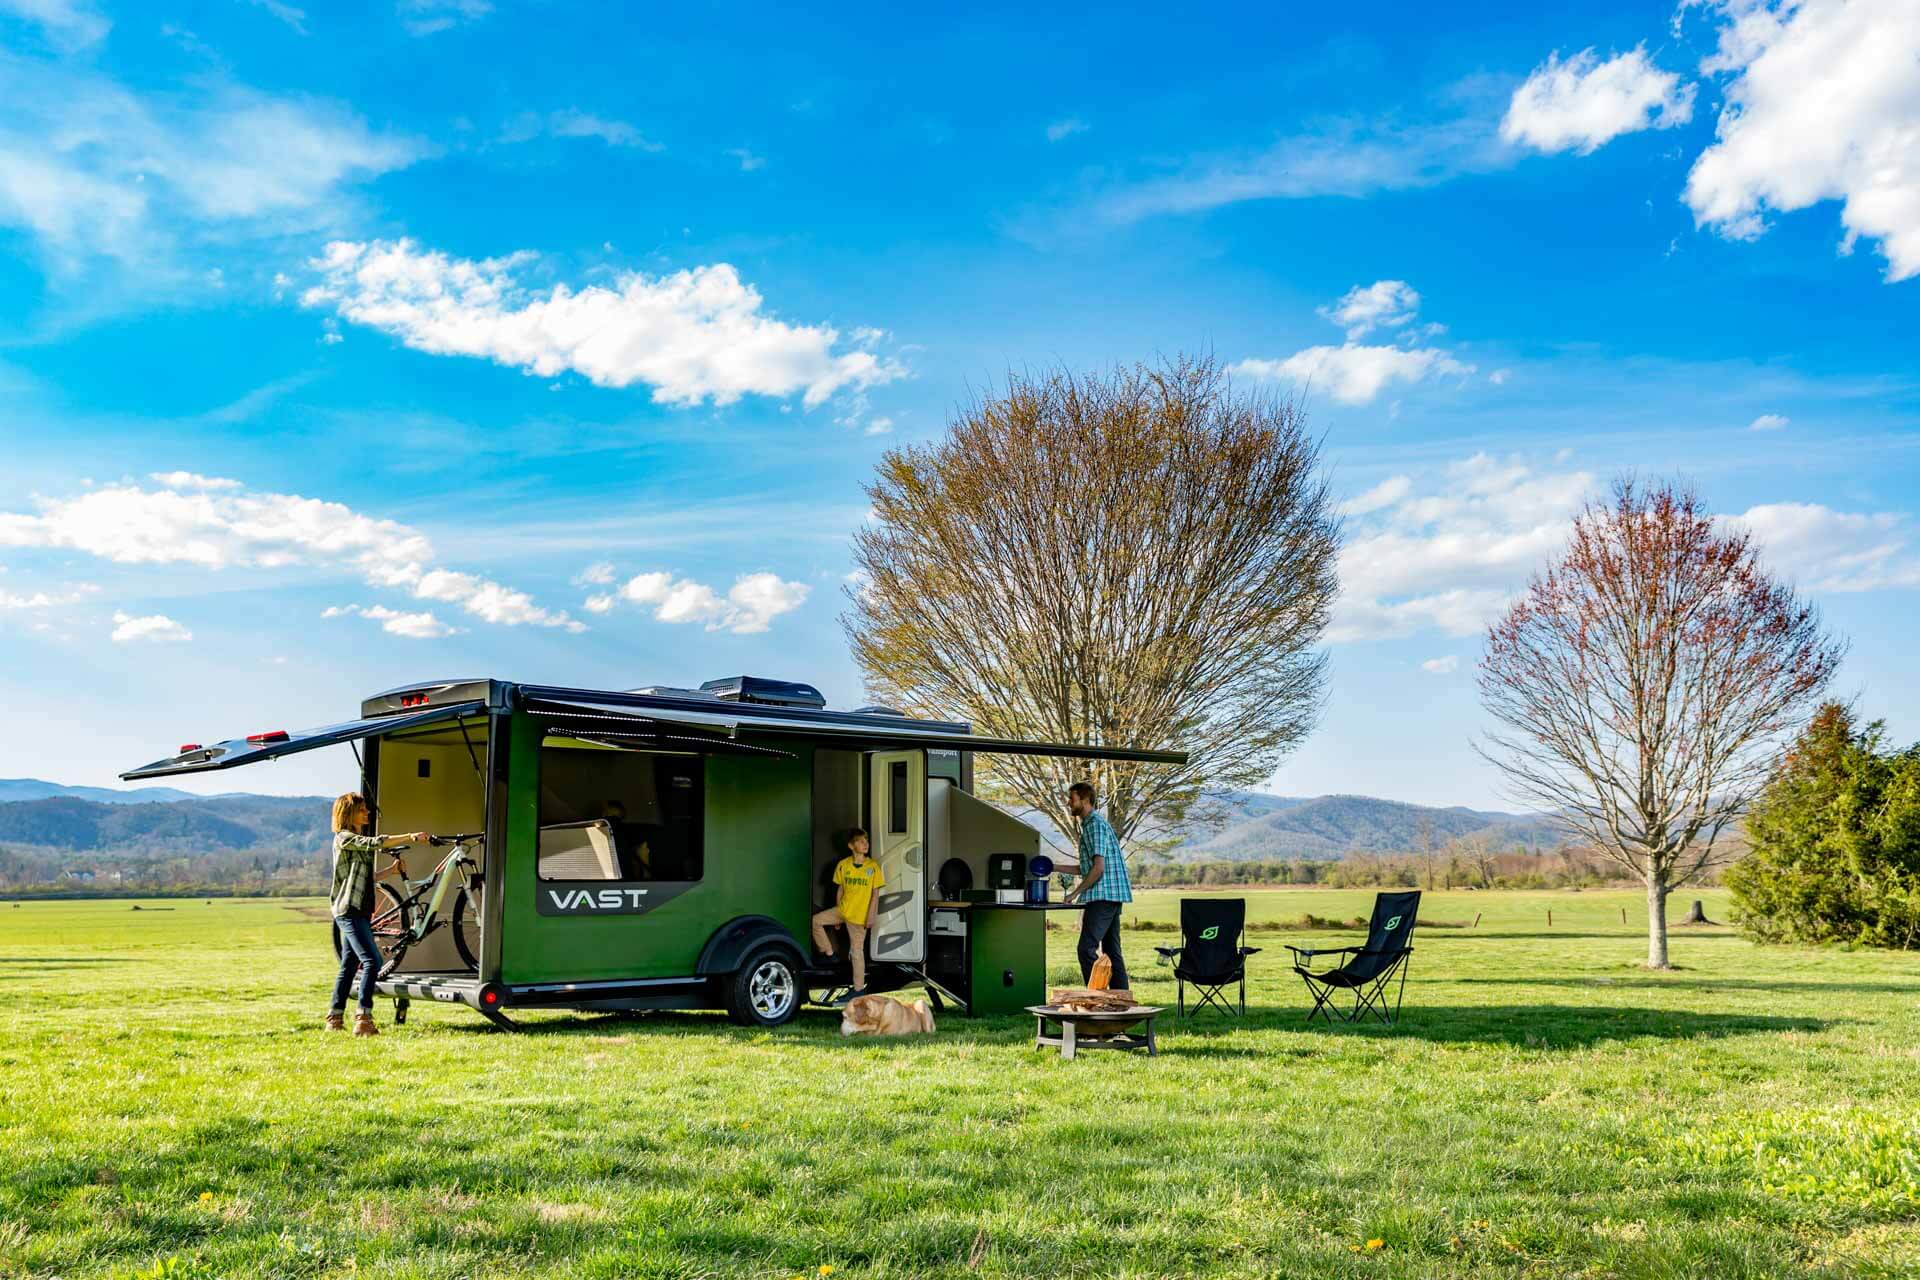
(1452, 550)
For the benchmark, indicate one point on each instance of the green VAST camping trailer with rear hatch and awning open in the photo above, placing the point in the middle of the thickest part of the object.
(665, 849)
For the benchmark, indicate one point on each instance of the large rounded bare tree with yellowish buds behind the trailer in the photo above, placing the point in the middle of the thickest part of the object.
(1132, 559)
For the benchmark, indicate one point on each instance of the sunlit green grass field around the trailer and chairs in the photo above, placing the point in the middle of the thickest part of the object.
(1548, 1108)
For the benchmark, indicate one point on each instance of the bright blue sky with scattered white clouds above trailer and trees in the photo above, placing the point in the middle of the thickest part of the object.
(354, 344)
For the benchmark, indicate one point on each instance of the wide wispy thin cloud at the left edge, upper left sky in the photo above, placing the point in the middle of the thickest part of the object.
(97, 172)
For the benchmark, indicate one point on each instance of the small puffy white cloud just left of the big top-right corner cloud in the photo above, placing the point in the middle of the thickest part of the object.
(1583, 105)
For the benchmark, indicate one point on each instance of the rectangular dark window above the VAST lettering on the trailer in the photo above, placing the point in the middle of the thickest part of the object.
(621, 817)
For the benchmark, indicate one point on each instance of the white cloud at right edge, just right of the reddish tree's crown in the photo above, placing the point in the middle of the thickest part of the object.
(1827, 550)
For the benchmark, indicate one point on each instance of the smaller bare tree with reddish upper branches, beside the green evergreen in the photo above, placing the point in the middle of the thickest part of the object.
(1644, 680)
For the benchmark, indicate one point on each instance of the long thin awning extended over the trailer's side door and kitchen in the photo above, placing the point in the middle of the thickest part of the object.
(857, 732)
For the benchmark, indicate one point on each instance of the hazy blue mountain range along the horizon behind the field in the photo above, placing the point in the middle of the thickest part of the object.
(164, 822)
